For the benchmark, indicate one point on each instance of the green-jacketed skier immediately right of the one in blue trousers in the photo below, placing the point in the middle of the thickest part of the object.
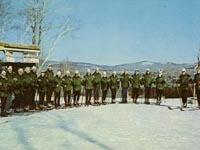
(135, 81)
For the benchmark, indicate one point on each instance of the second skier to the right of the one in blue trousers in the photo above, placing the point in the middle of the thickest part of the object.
(147, 80)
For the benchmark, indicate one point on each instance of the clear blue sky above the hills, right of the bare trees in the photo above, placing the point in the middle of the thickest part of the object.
(113, 32)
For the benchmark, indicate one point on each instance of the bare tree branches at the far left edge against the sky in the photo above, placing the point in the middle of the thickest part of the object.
(5, 17)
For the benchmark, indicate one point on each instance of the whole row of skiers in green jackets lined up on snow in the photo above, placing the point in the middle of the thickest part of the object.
(24, 84)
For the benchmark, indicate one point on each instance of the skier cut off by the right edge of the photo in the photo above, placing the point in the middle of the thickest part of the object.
(197, 85)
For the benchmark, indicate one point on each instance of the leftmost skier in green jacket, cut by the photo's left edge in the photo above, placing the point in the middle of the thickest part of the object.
(3, 92)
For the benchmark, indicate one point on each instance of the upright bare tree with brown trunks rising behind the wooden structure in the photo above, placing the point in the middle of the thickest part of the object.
(31, 23)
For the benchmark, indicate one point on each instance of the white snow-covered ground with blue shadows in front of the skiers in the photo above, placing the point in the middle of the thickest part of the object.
(116, 126)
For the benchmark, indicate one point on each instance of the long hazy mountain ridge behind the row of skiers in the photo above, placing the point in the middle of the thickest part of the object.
(169, 68)
